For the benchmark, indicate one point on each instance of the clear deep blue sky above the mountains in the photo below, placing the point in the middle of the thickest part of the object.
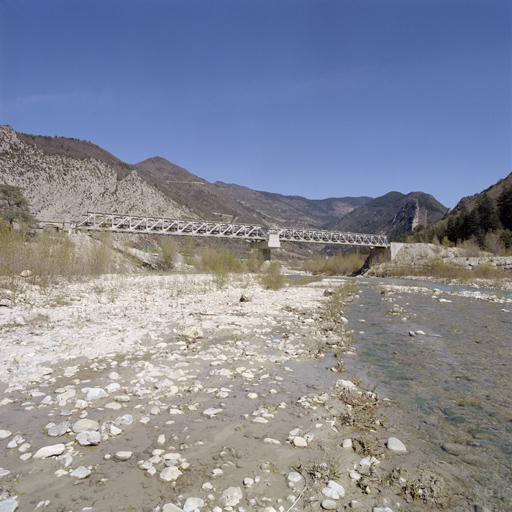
(302, 97)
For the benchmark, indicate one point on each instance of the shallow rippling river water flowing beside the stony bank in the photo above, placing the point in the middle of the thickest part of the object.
(452, 387)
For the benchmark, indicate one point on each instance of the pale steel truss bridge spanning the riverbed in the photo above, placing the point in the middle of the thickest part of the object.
(162, 226)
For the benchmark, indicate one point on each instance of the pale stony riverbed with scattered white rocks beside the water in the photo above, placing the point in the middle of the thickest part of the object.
(149, 393)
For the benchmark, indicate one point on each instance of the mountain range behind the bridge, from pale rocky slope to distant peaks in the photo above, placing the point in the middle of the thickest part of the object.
(65, 178)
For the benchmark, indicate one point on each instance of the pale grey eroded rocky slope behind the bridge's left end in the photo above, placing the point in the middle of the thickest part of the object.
(63, 188)
